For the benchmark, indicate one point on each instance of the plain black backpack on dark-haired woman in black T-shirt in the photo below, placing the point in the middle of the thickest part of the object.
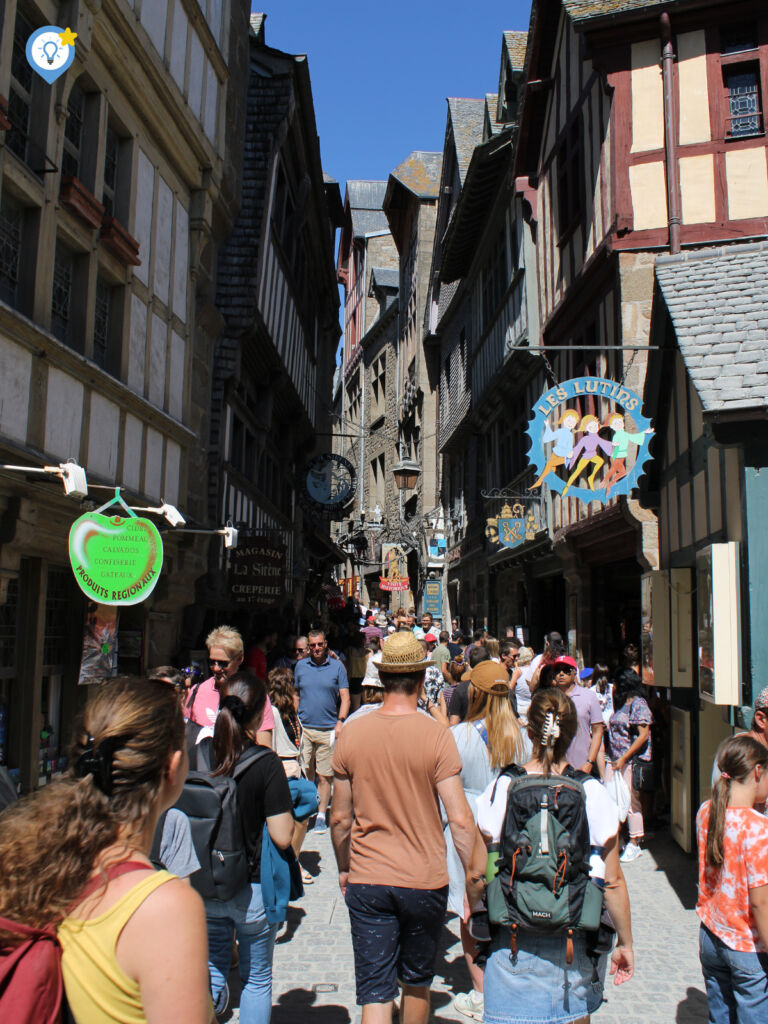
(210, 802)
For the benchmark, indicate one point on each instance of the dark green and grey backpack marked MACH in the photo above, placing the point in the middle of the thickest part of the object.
(542, 878)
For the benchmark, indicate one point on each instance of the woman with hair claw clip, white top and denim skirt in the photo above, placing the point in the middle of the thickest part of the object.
(546, 980)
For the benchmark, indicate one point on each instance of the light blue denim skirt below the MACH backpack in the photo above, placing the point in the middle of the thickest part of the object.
(538, 987)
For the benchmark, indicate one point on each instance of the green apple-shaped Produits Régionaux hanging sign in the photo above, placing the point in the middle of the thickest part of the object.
(116, 561)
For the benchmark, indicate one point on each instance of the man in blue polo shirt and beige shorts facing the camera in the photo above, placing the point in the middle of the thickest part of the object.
(324, 704)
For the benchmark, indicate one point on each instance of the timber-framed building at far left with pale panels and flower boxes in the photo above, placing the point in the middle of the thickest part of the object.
(117, 185)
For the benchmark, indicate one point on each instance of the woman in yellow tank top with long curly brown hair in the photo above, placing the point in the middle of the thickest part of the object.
(134, 940)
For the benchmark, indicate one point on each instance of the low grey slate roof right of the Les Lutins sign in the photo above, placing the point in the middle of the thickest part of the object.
(718, 302)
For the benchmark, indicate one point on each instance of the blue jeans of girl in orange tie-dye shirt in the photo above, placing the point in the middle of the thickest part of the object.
(737, 983)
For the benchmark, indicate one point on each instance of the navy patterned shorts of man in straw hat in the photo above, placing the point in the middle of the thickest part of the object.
(396, 936)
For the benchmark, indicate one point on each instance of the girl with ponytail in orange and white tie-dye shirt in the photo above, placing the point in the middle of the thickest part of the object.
(734, 886)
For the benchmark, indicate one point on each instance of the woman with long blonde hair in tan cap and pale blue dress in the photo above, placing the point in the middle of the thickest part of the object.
(488, 740)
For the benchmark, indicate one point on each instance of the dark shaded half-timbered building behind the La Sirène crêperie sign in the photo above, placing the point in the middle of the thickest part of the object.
(280, 304)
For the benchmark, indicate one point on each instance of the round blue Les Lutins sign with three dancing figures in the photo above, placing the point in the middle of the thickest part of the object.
(589, 440)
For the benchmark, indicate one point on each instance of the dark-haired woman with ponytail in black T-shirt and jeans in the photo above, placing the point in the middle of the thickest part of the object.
(264, 798)
